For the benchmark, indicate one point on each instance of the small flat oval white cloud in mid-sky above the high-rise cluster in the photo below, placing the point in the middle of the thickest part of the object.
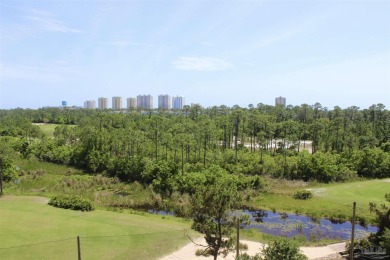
(201, 64)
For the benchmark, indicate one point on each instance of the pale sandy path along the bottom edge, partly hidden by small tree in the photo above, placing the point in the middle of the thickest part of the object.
(188, 251)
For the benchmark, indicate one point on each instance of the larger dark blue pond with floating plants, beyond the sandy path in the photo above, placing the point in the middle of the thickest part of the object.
(291, 225)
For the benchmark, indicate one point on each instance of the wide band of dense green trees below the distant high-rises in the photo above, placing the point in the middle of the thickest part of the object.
(297, 142)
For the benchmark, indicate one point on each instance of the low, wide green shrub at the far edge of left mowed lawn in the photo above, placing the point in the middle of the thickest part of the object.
(71, 202)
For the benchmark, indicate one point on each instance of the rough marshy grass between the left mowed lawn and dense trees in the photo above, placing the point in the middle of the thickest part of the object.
(47, 179)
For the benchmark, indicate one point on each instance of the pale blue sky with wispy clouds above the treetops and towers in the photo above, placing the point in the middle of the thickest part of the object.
(211, 52)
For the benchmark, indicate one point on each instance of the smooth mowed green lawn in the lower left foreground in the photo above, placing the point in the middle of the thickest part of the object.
(50, 233)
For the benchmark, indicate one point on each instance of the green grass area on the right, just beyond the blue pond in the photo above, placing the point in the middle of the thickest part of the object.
(331, 200)
